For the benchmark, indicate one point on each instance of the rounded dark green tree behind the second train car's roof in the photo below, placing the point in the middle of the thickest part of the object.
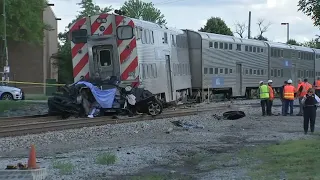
(216, 25)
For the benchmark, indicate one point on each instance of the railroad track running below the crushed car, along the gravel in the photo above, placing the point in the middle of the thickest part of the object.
(35, 127)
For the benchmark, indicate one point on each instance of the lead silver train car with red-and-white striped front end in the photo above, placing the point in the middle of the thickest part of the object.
(139, 52)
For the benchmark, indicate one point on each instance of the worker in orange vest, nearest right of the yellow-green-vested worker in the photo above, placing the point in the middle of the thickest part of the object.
(288, 96)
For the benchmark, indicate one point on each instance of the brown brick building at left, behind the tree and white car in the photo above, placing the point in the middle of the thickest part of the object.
(32, 63)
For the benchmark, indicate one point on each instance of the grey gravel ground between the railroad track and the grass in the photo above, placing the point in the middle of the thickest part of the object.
(155, 149)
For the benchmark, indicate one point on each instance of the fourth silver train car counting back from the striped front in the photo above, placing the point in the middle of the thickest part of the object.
(305, 66)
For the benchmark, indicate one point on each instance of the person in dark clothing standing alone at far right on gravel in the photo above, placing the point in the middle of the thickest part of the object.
(309, 101)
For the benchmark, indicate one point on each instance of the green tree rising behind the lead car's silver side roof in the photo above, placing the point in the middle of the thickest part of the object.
(141, 10)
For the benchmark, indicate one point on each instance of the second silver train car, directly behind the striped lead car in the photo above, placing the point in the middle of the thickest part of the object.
(226, 64)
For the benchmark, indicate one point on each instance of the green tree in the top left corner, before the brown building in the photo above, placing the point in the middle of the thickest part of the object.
(24, 20)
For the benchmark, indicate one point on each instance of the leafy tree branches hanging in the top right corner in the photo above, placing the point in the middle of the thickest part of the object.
(310, 8)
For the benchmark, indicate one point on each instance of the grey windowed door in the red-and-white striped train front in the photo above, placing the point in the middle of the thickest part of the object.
(104, 60)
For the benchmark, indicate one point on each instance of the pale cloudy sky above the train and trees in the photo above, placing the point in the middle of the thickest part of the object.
(191, 14)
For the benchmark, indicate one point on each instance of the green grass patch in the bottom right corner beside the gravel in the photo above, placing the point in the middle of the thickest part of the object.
(294, 160)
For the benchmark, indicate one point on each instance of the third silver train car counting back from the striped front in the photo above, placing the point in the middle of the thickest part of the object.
(282, 63)
